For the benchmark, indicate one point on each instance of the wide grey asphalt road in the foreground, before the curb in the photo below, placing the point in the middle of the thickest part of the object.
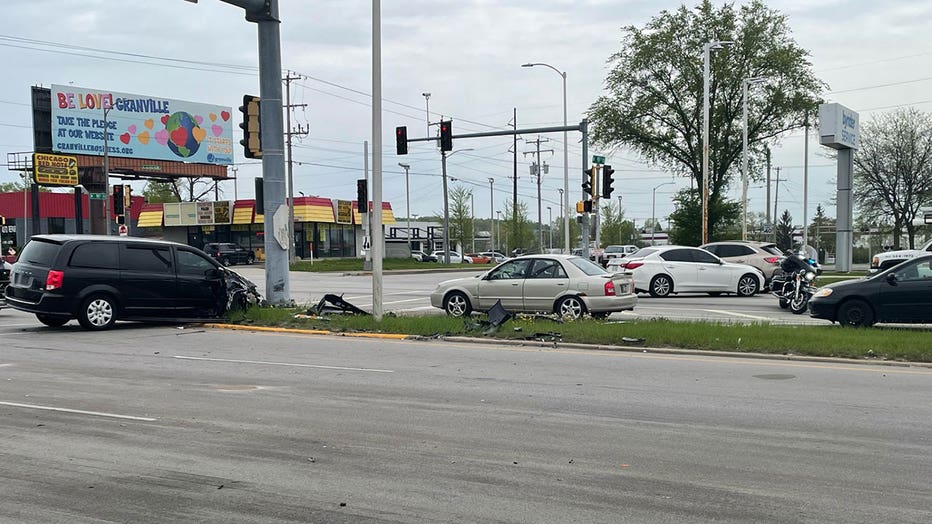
(161, 424)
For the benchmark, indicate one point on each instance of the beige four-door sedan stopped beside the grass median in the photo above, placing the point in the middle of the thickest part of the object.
(567, 285)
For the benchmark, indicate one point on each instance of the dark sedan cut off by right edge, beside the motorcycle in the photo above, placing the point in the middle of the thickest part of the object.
(899, 294)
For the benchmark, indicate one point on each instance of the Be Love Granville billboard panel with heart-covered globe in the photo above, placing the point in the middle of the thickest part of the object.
(140, 126)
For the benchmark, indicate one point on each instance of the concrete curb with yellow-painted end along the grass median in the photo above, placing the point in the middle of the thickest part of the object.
(591, 347)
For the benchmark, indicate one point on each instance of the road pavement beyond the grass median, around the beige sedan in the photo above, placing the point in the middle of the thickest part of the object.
(410, 294)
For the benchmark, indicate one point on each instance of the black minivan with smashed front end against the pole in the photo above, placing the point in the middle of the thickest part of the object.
(101, 279)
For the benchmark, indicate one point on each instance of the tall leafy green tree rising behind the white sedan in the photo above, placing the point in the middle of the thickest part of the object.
(655, 95)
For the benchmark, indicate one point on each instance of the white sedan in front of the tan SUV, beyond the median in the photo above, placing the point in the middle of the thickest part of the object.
(665, 270)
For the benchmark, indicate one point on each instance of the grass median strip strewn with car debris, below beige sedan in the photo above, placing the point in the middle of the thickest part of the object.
(877, 343)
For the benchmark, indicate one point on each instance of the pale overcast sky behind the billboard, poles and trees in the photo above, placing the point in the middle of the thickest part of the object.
(875, 57)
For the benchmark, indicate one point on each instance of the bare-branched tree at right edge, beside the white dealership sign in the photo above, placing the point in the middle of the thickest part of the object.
(893, 170)
